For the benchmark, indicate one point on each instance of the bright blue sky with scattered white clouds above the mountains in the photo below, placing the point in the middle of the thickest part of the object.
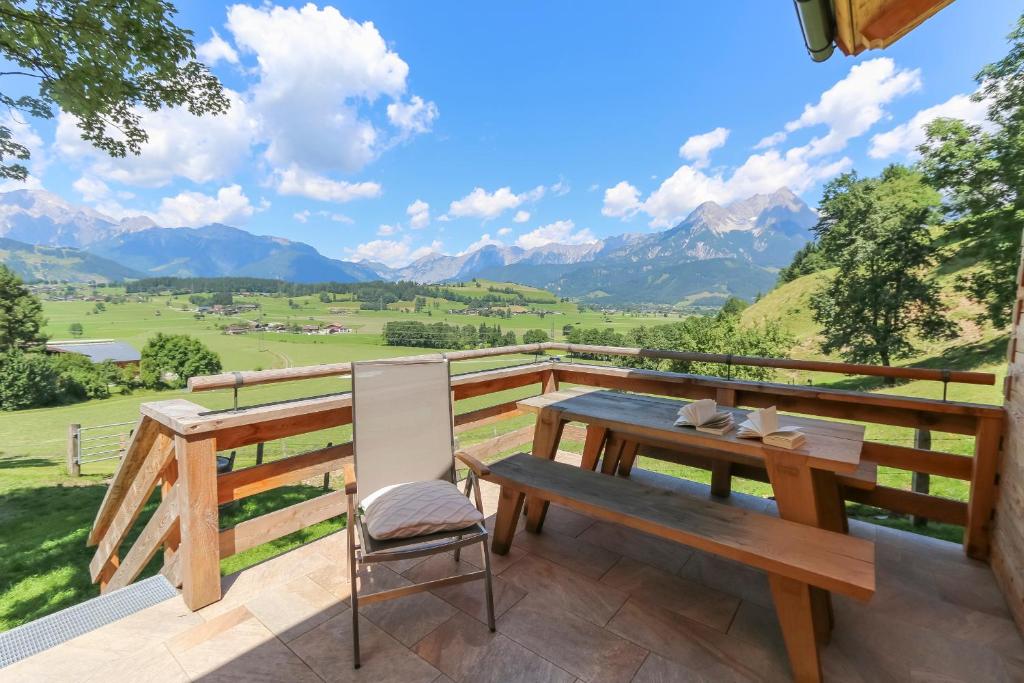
(388, 130)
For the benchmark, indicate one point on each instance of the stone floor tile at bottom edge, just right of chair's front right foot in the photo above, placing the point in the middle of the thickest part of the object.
(571, 643)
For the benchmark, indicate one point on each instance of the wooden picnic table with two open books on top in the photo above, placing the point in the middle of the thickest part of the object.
(804, 481)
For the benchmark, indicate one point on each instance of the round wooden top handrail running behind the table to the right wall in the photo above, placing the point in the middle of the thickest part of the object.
(954, 376)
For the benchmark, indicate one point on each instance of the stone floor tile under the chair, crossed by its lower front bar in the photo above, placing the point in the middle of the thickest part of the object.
(407, 619)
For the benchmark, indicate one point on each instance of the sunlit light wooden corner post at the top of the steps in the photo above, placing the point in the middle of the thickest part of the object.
(200, 547)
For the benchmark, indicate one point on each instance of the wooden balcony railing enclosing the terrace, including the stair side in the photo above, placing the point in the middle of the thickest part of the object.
(176, 444)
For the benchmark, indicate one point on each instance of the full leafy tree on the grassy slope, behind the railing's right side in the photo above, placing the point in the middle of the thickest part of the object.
(877, 234)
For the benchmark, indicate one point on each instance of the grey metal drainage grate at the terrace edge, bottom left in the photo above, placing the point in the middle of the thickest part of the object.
(61, 627)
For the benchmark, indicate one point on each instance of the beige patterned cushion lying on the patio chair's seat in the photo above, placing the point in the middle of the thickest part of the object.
(418, 508)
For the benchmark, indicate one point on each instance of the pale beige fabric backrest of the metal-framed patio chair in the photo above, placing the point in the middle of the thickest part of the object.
(402, 422)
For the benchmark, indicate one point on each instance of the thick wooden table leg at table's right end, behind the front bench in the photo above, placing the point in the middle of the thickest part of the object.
(808, 497)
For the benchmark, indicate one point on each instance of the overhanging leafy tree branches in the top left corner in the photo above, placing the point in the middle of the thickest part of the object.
(102, 62)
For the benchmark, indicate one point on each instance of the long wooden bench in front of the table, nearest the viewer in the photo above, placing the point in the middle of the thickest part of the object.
(799, 560)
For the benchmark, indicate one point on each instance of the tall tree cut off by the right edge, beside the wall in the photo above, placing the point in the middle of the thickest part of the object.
(982, 175)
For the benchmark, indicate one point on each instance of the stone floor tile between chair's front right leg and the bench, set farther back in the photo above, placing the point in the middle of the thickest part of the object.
(564, 589)
